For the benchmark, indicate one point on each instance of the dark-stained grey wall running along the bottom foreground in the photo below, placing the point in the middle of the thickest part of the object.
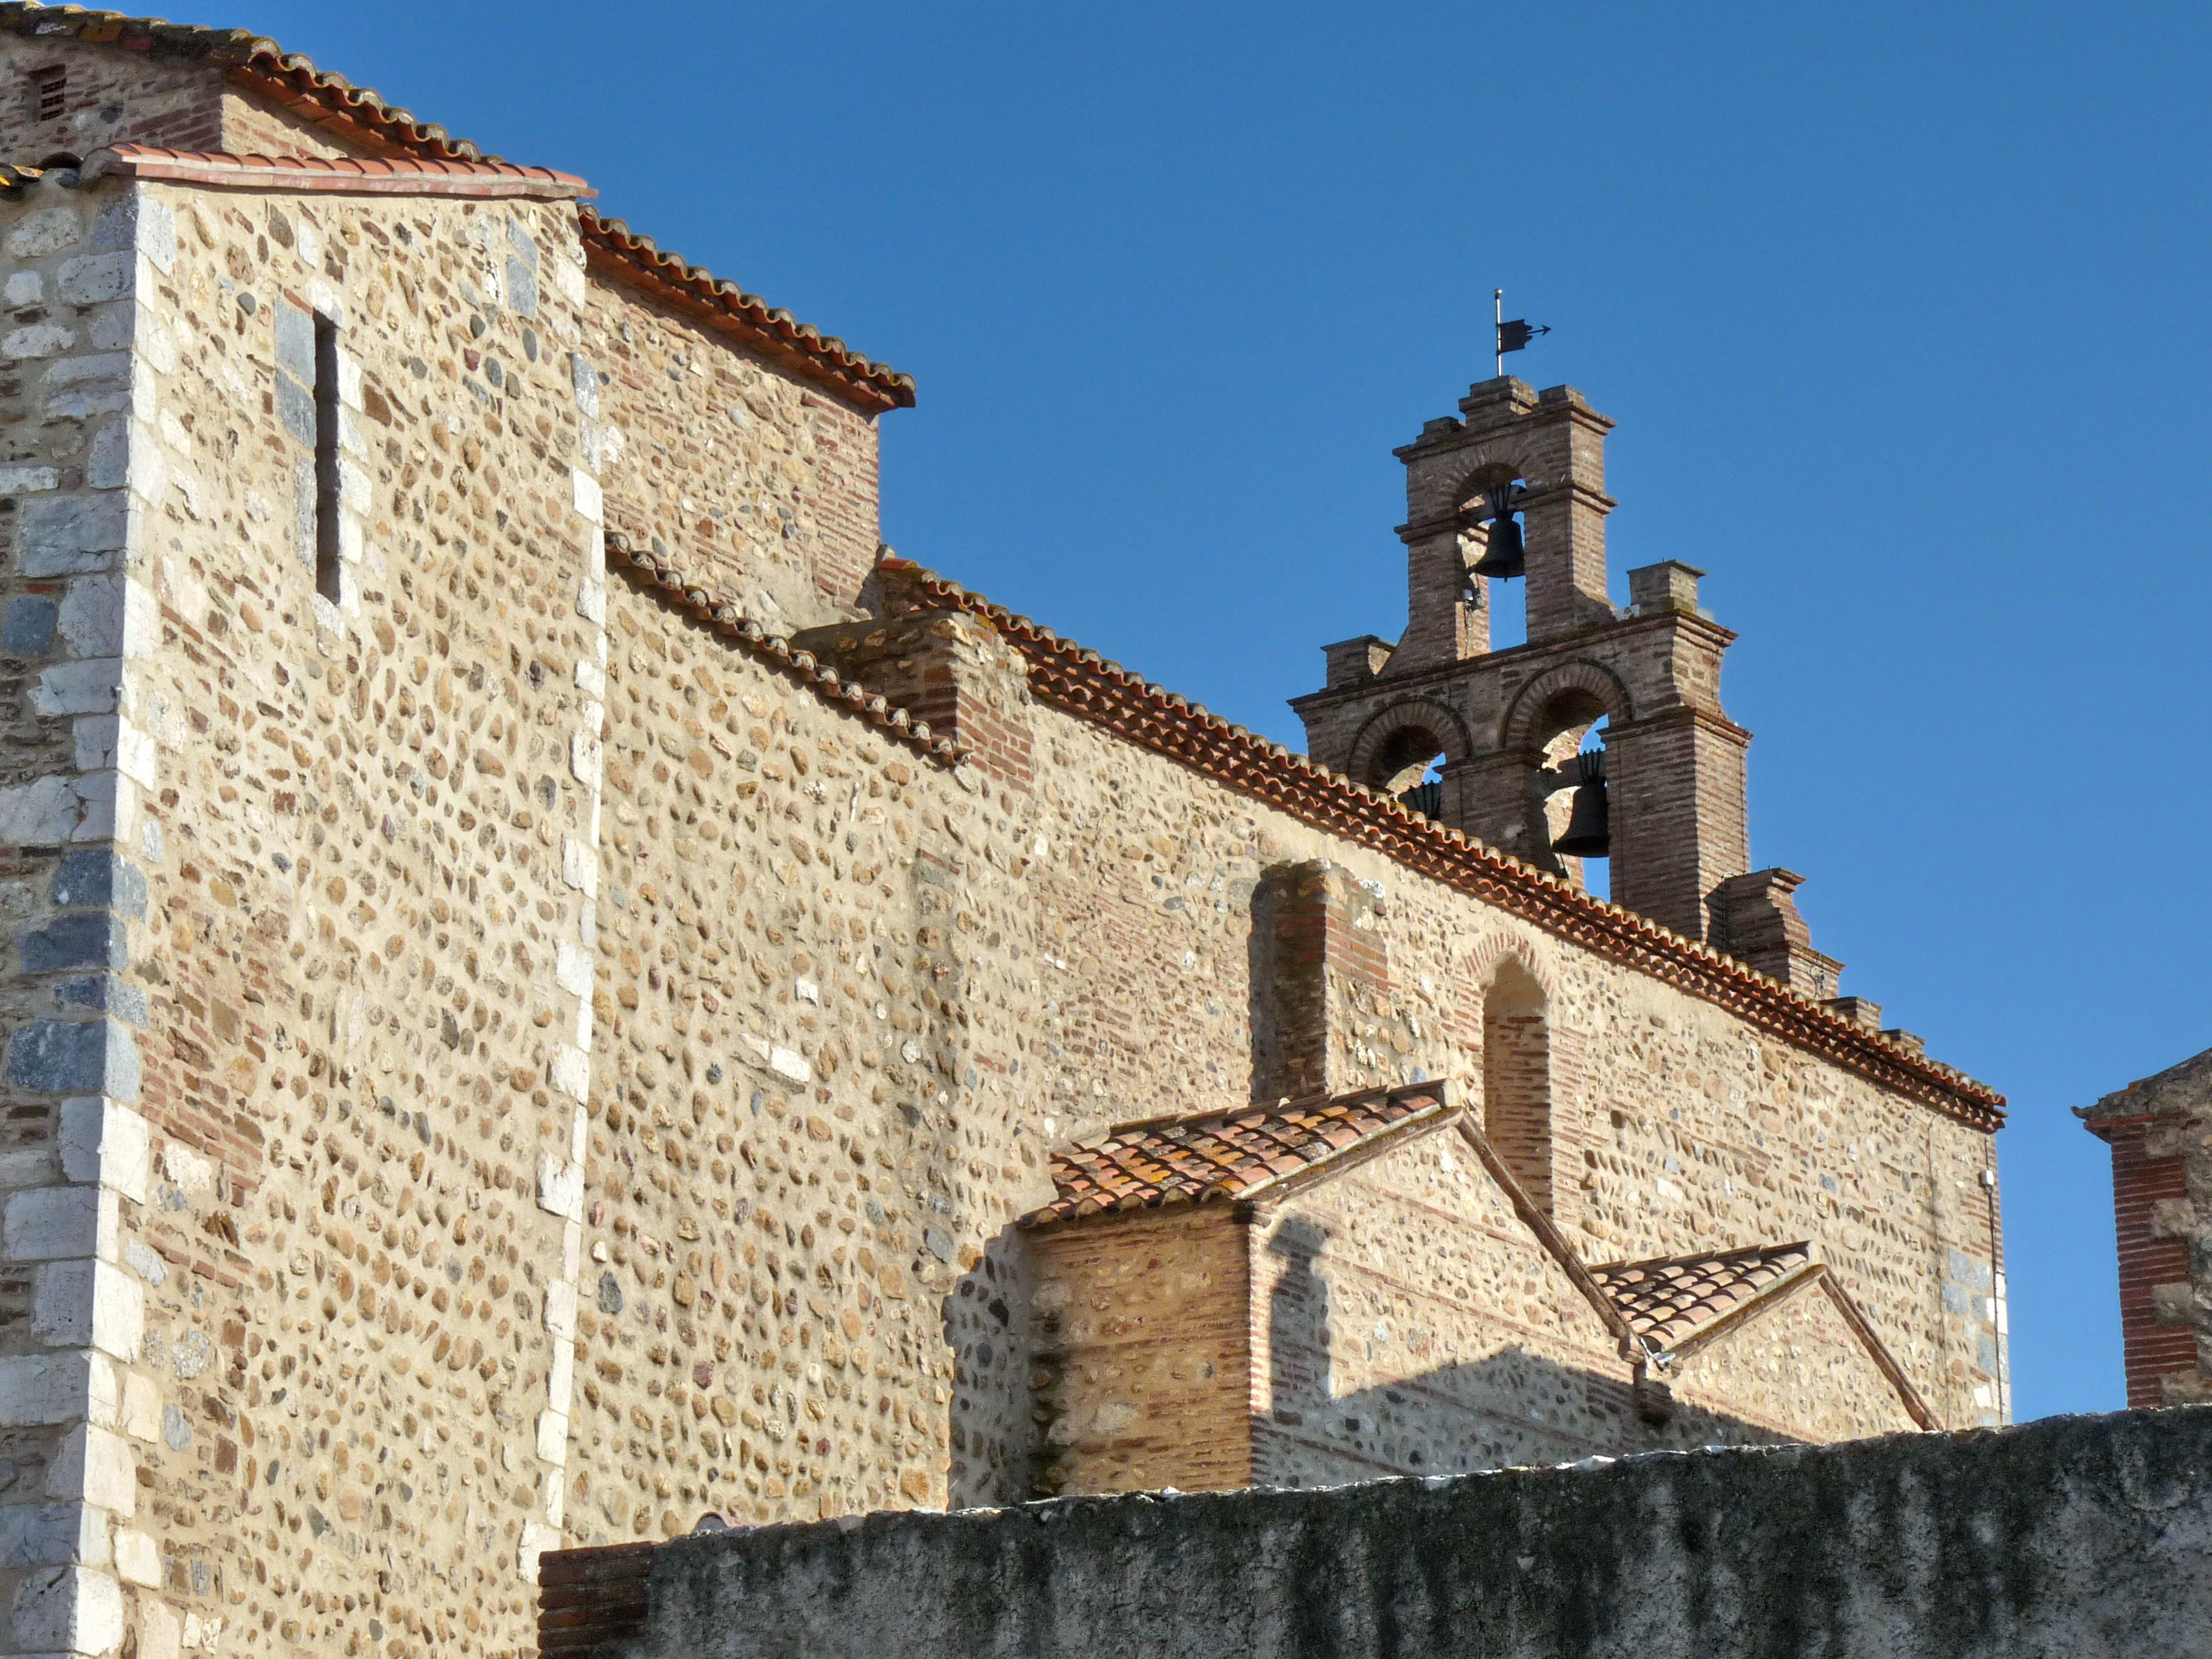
(2072, 1536)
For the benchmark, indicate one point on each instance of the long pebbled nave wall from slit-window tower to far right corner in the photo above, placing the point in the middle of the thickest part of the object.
(855, 999)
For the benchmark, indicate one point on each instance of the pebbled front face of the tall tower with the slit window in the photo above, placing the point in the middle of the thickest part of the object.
(362, 1058)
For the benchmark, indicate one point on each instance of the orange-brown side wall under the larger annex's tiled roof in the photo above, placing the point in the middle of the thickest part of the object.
(1145, 1355)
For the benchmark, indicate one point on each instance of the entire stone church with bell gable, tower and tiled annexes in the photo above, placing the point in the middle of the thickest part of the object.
(556, 988)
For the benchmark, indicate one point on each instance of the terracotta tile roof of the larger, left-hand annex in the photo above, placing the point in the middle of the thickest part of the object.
(1227, 1156)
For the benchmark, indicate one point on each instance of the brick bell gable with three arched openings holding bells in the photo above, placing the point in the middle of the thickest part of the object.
(1492, 742)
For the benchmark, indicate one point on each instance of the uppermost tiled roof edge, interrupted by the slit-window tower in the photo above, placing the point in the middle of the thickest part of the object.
(357, 116)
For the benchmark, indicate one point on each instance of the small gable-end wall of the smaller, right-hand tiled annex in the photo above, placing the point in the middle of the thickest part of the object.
(1797, 1373)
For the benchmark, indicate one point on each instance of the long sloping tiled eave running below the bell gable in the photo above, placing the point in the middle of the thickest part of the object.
(1107, 693)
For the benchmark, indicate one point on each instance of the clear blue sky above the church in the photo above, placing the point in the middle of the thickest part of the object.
(1903, 315)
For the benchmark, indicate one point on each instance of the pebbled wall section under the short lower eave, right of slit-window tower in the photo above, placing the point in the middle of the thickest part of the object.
(813, 1129)
